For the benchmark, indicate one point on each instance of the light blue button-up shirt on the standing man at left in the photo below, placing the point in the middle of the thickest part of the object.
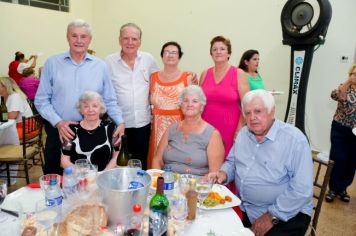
(63, 81)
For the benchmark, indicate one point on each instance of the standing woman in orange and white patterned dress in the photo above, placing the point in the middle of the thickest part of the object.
(165, 88)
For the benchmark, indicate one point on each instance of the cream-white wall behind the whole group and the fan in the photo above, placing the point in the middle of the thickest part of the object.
(192, 23)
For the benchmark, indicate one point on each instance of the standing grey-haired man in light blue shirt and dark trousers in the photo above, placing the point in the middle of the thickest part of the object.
(64, 78)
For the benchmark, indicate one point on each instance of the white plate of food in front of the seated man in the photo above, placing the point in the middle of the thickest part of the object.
(220, 197)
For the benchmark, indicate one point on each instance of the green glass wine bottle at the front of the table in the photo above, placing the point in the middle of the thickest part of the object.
(158, 223)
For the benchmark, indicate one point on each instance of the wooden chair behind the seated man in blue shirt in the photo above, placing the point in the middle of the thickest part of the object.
(321, 179)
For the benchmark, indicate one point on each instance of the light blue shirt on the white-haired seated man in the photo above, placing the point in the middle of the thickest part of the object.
(274, 175)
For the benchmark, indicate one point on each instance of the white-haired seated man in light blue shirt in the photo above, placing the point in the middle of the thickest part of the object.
(272, 167)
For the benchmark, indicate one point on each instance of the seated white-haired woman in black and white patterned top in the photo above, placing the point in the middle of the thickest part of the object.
(93, 136)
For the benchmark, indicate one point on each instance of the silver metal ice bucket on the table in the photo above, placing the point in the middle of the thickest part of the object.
(119, 199)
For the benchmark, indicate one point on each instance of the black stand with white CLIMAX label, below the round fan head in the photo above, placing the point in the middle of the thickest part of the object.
(301, 59)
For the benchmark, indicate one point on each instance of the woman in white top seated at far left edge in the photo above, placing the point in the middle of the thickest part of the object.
(16, 102)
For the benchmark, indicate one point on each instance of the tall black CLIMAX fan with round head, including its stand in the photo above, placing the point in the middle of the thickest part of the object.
(304, 25)
